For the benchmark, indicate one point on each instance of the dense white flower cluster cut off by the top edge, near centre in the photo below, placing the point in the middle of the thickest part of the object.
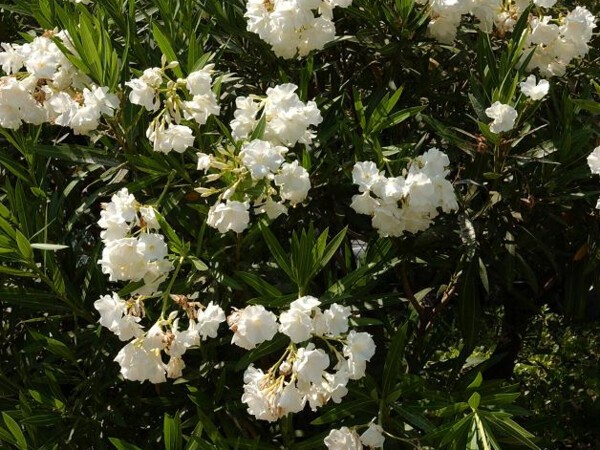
(293, 27)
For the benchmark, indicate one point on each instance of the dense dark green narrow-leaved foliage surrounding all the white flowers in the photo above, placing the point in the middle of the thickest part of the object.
(497, 300)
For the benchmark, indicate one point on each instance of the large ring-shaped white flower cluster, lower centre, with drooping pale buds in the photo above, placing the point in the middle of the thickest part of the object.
(302, 375)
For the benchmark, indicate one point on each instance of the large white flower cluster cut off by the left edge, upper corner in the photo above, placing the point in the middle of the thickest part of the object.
(42, 86)
